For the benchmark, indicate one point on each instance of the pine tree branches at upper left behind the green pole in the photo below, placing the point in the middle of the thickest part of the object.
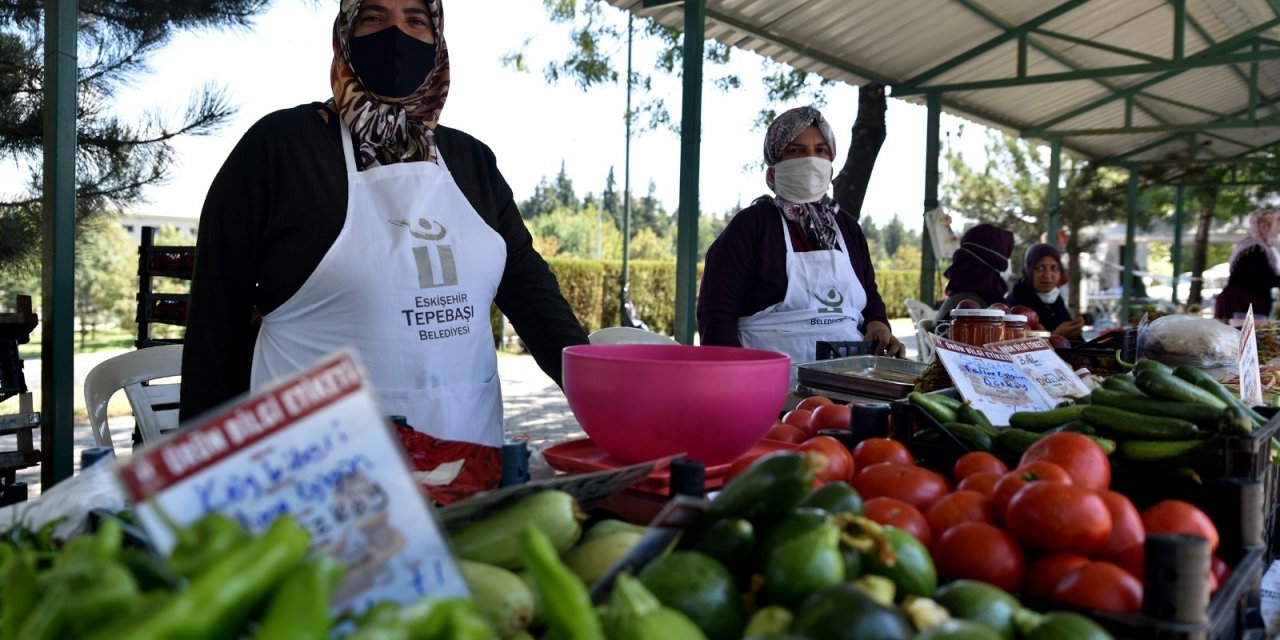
(116, 161)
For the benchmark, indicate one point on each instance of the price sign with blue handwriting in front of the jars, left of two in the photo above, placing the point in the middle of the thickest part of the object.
(991, 382)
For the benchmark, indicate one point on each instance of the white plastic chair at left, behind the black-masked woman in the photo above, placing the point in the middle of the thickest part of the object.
(156, 406)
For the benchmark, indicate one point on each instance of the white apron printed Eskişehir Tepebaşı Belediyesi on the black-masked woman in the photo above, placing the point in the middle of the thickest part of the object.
(408, 284)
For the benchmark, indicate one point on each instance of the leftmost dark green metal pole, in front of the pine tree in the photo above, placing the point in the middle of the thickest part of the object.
(60, 244)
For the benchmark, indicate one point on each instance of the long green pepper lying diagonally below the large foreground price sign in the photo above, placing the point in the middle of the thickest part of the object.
(221, 600)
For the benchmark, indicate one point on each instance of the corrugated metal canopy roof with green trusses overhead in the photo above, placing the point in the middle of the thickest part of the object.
(1126, 83)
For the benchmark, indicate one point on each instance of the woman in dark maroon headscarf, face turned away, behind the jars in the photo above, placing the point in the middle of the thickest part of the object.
(980, 269)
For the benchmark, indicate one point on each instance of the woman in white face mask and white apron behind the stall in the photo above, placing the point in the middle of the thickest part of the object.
(793, 268)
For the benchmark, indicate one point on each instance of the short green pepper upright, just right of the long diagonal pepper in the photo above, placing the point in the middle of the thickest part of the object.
(300, 609)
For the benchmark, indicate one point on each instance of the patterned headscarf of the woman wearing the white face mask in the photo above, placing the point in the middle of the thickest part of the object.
(817, 220)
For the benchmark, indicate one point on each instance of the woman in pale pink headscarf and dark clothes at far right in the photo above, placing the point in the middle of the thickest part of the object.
(1255, 269)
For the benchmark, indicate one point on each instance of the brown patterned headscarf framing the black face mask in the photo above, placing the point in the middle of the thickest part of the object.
(397, 131)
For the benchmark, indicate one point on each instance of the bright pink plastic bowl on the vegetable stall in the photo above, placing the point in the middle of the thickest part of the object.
(641, 403)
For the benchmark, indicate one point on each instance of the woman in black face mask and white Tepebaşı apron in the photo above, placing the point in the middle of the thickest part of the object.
(362, 222)
